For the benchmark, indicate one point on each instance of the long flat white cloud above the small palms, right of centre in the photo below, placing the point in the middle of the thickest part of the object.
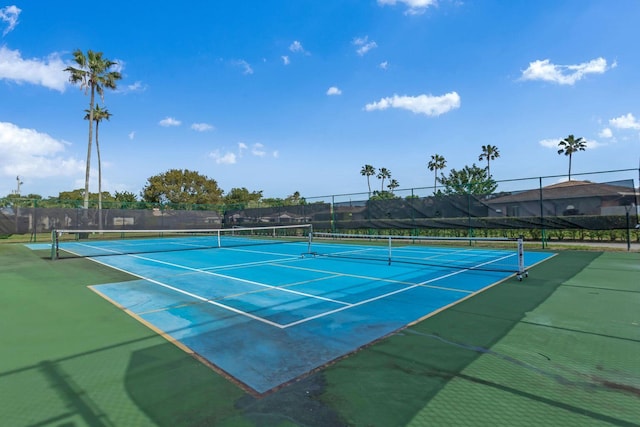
(422, 104)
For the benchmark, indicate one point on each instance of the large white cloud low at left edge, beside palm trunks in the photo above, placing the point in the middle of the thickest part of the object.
(27, 152)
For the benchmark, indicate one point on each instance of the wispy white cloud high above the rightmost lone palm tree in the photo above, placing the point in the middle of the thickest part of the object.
(564, 74)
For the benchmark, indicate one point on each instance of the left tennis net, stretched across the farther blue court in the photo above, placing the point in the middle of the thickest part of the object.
(92, 243)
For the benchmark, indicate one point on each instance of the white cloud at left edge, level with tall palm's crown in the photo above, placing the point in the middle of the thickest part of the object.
(46, 72)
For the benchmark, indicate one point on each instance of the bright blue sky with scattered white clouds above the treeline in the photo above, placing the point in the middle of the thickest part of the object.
(285, 96)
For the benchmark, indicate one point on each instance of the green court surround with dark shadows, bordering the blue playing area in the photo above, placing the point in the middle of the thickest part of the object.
(76, 360)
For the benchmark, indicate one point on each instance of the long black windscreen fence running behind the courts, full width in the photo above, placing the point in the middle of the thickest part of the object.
(570, 205)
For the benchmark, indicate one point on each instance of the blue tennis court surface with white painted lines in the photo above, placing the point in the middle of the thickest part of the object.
(265, 315)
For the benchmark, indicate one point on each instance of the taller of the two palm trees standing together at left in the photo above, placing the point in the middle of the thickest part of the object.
(93, 75)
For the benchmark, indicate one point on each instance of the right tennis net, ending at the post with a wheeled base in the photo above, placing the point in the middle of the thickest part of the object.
(467, 253)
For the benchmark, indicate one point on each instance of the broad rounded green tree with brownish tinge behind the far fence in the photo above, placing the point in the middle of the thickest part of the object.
(181, 186)
